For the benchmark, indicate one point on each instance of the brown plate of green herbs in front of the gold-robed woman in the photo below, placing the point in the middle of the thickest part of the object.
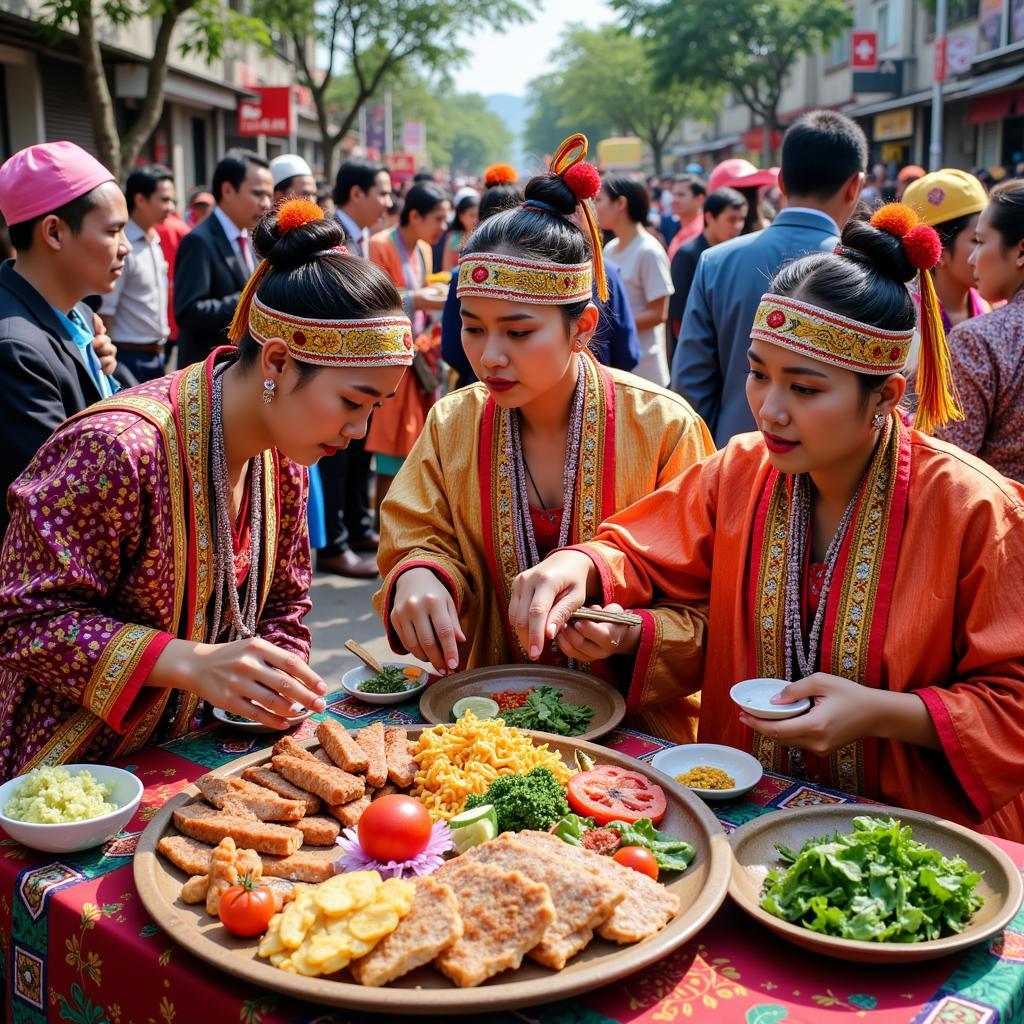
(561, 702)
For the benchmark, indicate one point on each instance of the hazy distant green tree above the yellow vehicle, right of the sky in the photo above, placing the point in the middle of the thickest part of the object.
(605, 84)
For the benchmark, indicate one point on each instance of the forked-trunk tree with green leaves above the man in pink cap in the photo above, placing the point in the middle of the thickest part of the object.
(205, 28)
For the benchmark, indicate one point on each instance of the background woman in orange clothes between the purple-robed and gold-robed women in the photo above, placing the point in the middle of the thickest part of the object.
(406, 255)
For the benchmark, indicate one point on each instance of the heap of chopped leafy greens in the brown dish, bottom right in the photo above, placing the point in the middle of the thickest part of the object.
(876, 884)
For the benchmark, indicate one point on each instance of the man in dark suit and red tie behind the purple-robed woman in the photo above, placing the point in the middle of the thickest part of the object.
(217, 259)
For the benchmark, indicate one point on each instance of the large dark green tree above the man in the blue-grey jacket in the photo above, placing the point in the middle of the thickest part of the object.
(749, 47)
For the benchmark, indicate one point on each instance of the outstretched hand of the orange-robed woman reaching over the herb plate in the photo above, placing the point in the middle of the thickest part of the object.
(544, 598)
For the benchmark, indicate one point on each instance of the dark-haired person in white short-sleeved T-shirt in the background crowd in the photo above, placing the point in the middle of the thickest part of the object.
(623, 205)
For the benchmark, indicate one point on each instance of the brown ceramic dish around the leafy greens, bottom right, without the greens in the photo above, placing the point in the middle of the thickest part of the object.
(755, 855)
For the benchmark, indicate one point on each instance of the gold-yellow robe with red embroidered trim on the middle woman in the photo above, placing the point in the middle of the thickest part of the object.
(450, 509)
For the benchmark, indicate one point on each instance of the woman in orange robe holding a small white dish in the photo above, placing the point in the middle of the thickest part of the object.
(912, 550)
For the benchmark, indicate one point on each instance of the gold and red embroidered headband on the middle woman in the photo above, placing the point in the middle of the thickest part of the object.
(489, 276)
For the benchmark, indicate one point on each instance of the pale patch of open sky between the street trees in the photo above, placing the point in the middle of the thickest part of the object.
(506, 62)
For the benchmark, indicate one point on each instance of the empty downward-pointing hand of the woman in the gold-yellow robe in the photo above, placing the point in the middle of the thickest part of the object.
(424, 617)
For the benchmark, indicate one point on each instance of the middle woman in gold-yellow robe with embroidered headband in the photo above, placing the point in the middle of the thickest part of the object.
(547, 429)
